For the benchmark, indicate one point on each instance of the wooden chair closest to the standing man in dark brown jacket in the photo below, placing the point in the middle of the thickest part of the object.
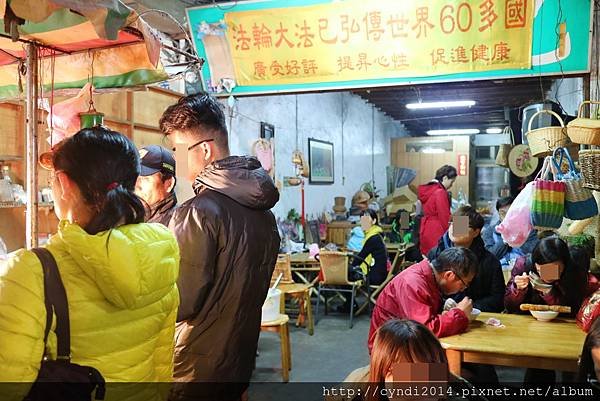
(295, 291)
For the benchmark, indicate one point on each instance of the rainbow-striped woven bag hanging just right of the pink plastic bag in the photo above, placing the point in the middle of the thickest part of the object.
(548, 205)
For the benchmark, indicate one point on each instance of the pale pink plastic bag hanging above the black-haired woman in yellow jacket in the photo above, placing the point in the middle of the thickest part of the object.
(65, 115)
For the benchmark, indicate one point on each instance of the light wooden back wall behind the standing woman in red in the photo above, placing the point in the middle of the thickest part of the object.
(426, 164)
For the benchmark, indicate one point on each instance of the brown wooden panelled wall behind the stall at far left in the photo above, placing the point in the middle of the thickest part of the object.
(134, 114)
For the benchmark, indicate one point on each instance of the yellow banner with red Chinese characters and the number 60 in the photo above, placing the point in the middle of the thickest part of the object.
(358, 40)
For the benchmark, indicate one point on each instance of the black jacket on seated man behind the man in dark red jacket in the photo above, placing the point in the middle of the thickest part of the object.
(487, 288)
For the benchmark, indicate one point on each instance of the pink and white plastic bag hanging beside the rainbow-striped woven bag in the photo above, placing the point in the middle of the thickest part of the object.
(516, 226)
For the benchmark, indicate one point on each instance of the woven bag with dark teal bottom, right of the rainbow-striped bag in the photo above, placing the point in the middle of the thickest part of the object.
(580, 203)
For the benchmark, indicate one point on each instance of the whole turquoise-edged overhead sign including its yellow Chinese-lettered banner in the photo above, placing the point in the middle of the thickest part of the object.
(302, 45)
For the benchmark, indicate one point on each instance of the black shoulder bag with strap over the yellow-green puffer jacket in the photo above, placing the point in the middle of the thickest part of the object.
(61, 379)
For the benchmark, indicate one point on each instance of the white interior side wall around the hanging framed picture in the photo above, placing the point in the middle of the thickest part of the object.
(319, 117)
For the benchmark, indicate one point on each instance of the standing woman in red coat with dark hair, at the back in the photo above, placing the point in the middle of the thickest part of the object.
(436, 207)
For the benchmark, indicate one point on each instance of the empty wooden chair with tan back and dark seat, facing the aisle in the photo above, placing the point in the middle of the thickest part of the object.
(334, 266)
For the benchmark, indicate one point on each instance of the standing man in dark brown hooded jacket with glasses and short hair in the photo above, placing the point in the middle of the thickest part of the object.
(229, 242)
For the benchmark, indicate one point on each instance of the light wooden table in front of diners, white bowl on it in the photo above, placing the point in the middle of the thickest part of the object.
(525, 342)
